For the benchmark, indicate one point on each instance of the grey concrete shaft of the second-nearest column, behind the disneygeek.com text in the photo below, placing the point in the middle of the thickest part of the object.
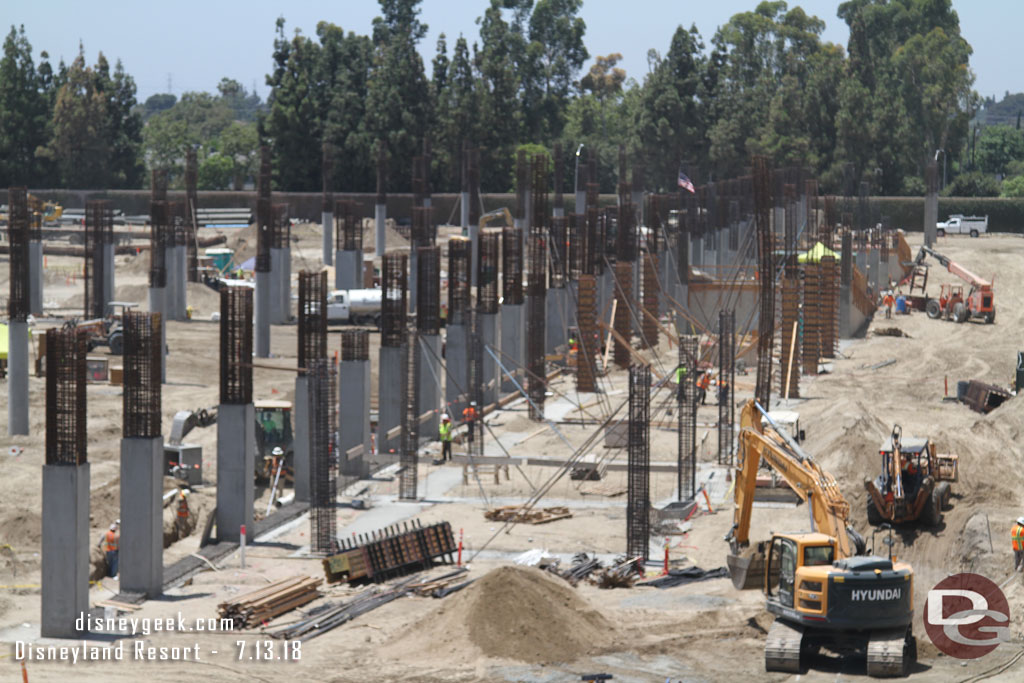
(142, 548)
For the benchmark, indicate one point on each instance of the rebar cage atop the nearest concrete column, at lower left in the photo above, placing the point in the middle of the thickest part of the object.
(66, 414)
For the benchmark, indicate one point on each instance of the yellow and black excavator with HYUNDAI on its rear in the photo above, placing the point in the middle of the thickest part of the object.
(825, 592)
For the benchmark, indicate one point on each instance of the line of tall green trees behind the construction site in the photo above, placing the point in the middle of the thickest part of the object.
(878, 110)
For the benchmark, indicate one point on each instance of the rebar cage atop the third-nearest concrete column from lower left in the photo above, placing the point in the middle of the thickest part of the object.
(236, 346)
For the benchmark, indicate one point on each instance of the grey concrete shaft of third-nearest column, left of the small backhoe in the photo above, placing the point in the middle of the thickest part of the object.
(236, 469)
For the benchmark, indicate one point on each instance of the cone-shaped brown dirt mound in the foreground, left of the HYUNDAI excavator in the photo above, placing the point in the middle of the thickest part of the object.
(515, 614)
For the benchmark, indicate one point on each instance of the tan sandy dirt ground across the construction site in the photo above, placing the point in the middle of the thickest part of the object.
(703, 631)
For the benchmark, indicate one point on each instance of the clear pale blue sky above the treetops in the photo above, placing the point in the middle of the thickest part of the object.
(193, 45)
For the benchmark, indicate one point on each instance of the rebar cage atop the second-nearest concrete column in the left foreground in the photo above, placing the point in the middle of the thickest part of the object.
(143, 372)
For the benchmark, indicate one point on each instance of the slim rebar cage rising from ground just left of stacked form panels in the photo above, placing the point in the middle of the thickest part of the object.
(323, 468)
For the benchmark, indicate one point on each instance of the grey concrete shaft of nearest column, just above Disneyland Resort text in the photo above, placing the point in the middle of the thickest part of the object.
(65, 594)
